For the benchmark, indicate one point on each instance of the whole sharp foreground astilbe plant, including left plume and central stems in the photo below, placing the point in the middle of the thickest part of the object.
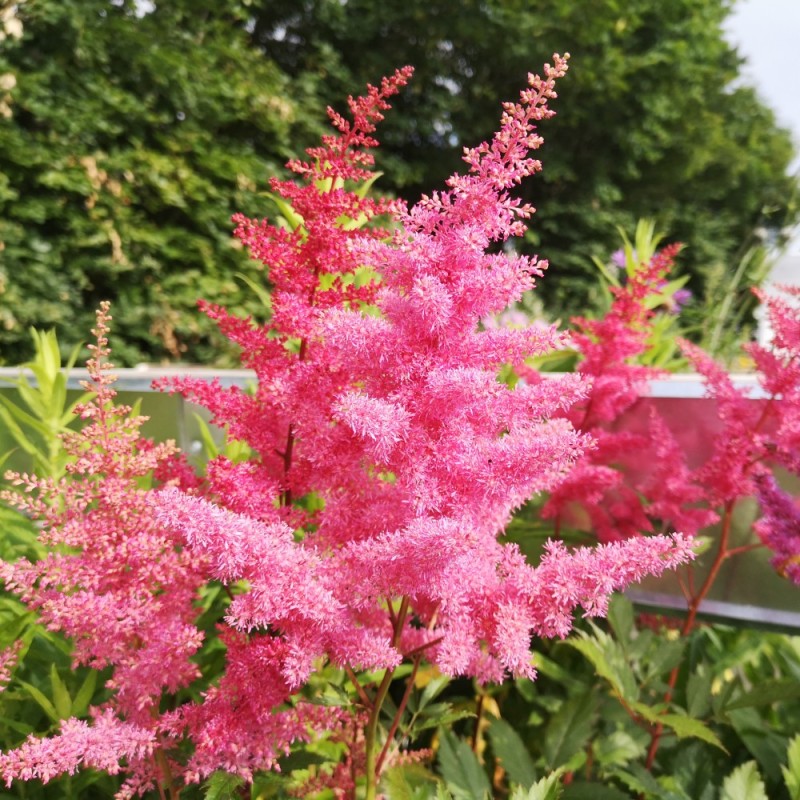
(387, 460)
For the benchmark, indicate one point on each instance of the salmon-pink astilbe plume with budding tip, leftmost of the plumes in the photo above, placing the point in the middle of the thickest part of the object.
(114, 581)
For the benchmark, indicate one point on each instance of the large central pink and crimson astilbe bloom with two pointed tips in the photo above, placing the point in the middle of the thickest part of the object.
(397, 427)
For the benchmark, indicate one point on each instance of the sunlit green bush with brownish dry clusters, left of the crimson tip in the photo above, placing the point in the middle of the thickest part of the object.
(128, 143)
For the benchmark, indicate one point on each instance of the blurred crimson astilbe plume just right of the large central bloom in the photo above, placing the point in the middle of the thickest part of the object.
(608, 490)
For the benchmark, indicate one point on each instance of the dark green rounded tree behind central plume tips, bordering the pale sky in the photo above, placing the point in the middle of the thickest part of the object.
(653, 120)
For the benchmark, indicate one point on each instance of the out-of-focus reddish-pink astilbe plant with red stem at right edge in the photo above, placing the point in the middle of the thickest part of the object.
(635, 481)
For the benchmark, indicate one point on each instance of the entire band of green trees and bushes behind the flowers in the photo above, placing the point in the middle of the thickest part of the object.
(131, 137)
